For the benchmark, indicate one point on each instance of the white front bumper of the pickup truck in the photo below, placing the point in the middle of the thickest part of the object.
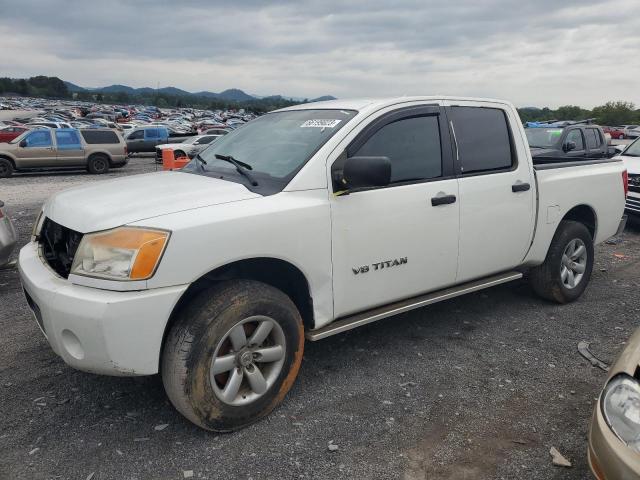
(98, 331)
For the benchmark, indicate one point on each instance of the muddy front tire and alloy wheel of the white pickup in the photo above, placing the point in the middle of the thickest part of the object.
(203, 331)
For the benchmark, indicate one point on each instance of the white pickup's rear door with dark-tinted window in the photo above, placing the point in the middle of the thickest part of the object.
(496, 186)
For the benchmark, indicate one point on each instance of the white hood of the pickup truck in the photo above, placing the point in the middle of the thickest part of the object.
(113, 203)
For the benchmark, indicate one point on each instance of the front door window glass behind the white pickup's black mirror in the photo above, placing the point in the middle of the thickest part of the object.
(412, 145)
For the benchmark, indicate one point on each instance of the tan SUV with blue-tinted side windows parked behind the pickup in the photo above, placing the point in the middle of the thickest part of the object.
(95, 150)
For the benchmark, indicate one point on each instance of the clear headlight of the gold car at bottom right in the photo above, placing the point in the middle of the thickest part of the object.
(621, 409)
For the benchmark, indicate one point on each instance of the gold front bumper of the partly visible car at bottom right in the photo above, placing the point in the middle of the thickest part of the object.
(608, 457)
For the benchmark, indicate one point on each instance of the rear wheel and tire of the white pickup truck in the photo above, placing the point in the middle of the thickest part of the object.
(552, 279)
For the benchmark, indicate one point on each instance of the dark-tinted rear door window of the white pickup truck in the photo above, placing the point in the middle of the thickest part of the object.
(483, 139)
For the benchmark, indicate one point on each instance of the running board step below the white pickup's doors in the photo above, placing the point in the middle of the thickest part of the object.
(370, 316)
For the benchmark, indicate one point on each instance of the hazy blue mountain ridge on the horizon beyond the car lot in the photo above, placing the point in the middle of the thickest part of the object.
(231, 94)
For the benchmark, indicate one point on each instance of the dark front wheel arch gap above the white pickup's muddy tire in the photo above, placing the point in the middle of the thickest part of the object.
(276, 272)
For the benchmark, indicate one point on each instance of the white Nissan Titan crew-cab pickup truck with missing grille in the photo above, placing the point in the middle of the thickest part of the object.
(306, 222)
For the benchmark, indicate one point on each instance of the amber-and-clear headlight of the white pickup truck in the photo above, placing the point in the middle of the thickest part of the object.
(124, 253)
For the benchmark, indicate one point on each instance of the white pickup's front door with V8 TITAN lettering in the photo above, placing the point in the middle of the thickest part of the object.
(401, 240)
